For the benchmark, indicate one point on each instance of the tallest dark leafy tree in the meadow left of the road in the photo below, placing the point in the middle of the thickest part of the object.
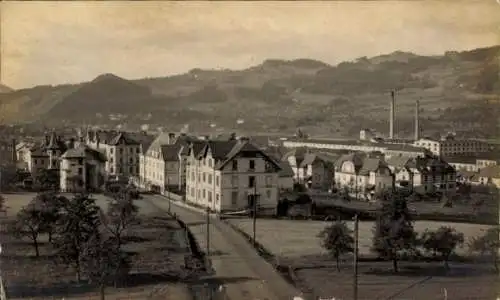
(79, 221)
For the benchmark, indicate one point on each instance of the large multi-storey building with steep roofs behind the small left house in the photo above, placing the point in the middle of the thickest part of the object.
(122, 150)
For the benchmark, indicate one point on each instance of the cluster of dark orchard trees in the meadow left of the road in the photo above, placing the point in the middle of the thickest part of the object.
(83, 236)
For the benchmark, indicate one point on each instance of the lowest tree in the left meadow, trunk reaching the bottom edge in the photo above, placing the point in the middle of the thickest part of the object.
(102, 261)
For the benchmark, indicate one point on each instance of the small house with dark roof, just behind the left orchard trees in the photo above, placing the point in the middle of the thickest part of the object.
(82, 169)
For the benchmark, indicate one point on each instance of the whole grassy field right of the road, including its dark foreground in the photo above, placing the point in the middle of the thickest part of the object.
(294, 243)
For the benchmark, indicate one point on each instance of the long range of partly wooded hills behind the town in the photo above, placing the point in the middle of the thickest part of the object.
(282, 95)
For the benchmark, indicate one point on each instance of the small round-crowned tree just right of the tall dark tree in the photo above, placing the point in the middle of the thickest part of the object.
(443, 241)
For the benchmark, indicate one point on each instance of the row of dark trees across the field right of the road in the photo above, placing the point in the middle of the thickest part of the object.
(395, 238)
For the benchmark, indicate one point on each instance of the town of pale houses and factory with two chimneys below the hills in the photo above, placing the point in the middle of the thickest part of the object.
(234, 177)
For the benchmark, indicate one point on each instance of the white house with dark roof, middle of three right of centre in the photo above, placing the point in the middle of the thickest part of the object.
(362, 175)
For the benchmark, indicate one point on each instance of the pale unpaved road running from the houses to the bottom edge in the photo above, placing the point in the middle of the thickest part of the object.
(243, 274)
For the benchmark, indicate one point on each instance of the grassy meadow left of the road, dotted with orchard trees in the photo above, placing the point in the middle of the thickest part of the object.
(158, 245)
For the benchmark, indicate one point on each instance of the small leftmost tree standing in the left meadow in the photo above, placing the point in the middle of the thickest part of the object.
(30, 222)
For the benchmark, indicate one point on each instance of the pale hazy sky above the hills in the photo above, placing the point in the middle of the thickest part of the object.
(69, 42)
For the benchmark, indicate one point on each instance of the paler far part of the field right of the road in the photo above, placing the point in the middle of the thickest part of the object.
(296, 238)
